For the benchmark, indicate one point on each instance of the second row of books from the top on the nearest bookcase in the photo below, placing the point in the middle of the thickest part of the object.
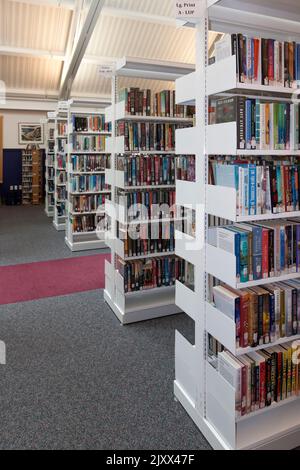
(261, 124)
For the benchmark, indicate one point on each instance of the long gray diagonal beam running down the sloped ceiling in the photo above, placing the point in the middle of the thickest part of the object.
(80, 48)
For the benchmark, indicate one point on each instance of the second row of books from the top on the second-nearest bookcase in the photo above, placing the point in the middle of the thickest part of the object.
(148, 137)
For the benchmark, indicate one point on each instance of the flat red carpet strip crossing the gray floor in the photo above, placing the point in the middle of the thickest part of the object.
(33, 281)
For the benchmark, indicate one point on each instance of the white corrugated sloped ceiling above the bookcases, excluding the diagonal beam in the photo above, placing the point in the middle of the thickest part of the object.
(36, 40)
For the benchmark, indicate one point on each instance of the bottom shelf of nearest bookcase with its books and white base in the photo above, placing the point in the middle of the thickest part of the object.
(249, 411)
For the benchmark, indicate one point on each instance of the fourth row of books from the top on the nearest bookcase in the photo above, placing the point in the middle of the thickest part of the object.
(262, 250)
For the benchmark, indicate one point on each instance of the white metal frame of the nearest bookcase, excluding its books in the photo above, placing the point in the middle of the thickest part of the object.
(198, 386)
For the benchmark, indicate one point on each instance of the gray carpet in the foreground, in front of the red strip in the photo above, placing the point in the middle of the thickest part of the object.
(76, 379)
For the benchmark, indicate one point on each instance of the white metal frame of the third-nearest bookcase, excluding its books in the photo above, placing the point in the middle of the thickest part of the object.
(91, 240)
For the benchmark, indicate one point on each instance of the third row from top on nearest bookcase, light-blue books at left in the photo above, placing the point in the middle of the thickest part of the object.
(263, 187)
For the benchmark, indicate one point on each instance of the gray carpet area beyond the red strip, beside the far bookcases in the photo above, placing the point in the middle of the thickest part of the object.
(27, 235)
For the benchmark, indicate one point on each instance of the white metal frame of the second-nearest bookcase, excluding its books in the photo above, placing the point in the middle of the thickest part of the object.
(130, 307)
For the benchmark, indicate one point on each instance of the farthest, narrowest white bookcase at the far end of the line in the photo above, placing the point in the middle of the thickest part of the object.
(49, 166)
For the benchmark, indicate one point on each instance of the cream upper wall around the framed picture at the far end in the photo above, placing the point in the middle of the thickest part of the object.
(11, 121)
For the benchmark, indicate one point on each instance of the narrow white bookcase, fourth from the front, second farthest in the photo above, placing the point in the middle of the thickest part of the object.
(60, 166)
